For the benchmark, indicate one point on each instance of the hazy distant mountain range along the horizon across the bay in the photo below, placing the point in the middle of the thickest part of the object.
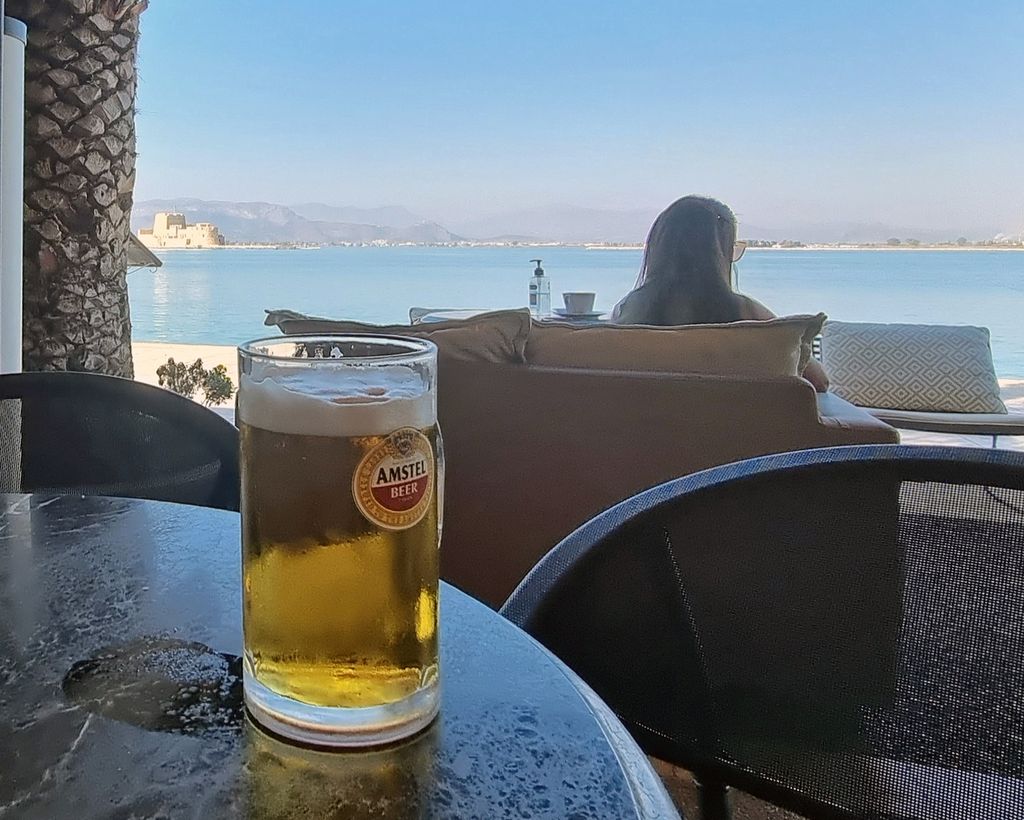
(316, 223)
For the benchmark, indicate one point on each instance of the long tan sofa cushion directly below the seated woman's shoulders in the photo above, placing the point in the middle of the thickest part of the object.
(776, 348)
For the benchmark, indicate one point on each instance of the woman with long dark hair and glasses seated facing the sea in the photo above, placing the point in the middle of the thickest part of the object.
(687, 274)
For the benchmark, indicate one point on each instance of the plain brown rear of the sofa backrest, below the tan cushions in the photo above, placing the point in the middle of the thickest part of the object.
(533, 453)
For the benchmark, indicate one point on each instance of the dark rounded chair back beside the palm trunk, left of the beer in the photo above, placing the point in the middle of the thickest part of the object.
(101, 436)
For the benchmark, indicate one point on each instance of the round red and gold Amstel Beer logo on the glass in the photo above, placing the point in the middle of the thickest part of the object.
(394, 483)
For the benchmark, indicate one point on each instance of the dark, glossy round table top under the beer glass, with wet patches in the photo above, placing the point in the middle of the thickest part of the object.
(121, 695)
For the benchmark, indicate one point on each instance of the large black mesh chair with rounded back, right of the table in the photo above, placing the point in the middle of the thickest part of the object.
(839, 632)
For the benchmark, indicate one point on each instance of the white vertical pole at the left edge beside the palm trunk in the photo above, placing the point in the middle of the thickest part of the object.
(12, 193)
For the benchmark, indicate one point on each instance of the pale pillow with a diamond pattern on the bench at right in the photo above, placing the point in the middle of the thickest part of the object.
(933, 368)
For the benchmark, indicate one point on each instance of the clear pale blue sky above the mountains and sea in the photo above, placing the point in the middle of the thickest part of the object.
(802, 113)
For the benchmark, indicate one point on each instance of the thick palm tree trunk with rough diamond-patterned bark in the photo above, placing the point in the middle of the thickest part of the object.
(79, 178)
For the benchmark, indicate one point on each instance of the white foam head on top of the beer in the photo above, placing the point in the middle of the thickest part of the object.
(321, 402)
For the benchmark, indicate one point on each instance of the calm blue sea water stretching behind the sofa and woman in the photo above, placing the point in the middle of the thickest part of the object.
(220, 296)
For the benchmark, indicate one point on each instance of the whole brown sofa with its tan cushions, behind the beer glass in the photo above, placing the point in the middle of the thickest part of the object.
(538, 439)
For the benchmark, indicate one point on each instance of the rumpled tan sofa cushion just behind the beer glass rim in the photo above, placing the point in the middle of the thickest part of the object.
(497, 337)
